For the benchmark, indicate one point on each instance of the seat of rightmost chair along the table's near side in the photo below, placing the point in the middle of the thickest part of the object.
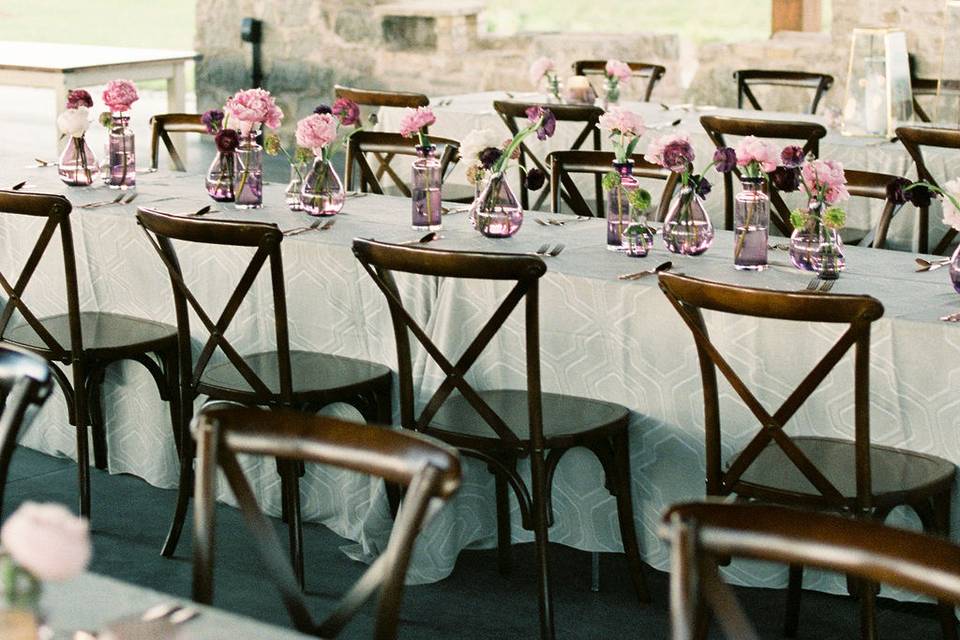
(898, 476)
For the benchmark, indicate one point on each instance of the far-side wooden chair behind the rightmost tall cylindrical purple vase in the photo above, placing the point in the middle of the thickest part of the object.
(808, 134)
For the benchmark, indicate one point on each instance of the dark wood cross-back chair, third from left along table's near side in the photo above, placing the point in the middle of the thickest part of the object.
(503, 426)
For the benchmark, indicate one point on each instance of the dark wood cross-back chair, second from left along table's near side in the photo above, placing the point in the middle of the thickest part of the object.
(303, 380)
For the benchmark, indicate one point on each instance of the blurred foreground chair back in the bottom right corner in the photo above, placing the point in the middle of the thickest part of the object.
(700, 534)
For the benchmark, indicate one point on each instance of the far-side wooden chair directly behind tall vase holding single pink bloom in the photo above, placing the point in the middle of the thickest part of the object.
(370, 154)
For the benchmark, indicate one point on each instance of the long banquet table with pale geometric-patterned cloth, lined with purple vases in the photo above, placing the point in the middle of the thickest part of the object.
(601, 338)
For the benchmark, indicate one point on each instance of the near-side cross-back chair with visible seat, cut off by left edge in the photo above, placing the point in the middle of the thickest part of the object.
(86, 341)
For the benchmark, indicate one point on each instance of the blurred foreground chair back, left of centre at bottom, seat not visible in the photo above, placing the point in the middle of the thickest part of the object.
(430, 472)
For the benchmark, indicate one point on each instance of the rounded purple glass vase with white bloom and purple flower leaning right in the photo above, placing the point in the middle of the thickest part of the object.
(495, 212)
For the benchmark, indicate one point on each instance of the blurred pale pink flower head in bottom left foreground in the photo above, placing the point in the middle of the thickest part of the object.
(47, 540)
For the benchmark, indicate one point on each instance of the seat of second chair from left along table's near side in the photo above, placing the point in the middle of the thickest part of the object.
(314, 375)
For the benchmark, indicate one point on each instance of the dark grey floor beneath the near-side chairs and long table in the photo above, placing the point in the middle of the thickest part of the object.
(130, 519)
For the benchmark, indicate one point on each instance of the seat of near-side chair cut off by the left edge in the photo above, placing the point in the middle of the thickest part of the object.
(104, 334)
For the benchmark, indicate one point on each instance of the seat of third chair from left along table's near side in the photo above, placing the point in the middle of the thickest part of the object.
(567, 420)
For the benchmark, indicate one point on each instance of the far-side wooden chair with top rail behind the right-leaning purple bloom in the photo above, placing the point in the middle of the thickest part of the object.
(587, 115)
